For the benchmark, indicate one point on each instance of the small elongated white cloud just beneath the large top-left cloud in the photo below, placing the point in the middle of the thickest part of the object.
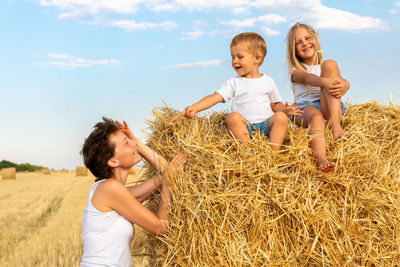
(131, 25)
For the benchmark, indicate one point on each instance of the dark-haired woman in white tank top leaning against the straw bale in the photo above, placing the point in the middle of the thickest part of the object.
(112, 209)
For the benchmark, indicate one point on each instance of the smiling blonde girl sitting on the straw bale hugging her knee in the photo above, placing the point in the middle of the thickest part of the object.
(318, 88)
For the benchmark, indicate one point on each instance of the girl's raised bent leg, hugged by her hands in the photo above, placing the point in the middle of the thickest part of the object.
(331, 106)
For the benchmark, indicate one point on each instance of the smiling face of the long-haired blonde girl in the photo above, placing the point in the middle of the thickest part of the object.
(305, 47)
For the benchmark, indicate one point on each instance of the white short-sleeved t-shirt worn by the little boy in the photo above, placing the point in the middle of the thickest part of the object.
(251, 97)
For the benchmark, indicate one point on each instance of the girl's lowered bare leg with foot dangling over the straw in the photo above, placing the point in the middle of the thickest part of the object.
(313, 117)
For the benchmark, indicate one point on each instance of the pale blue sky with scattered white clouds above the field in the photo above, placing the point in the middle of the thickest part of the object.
(66, 63)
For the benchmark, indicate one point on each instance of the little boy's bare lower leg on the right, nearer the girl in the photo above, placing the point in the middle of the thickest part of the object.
(278, 128)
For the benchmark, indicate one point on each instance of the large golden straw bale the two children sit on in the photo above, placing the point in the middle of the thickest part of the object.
(245, 205)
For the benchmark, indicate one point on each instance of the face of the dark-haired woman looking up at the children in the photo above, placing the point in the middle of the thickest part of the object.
(125, 150)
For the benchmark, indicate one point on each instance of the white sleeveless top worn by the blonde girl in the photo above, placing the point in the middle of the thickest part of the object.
(300, 90)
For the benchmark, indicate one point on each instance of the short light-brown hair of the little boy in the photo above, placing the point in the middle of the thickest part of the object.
(255, 43)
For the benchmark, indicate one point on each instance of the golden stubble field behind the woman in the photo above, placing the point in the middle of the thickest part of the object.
(41, 220)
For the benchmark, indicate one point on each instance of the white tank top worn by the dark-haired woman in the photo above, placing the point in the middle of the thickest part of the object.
(106, 236)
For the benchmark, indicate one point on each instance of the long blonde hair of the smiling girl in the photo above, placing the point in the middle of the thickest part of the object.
(295, 61)
